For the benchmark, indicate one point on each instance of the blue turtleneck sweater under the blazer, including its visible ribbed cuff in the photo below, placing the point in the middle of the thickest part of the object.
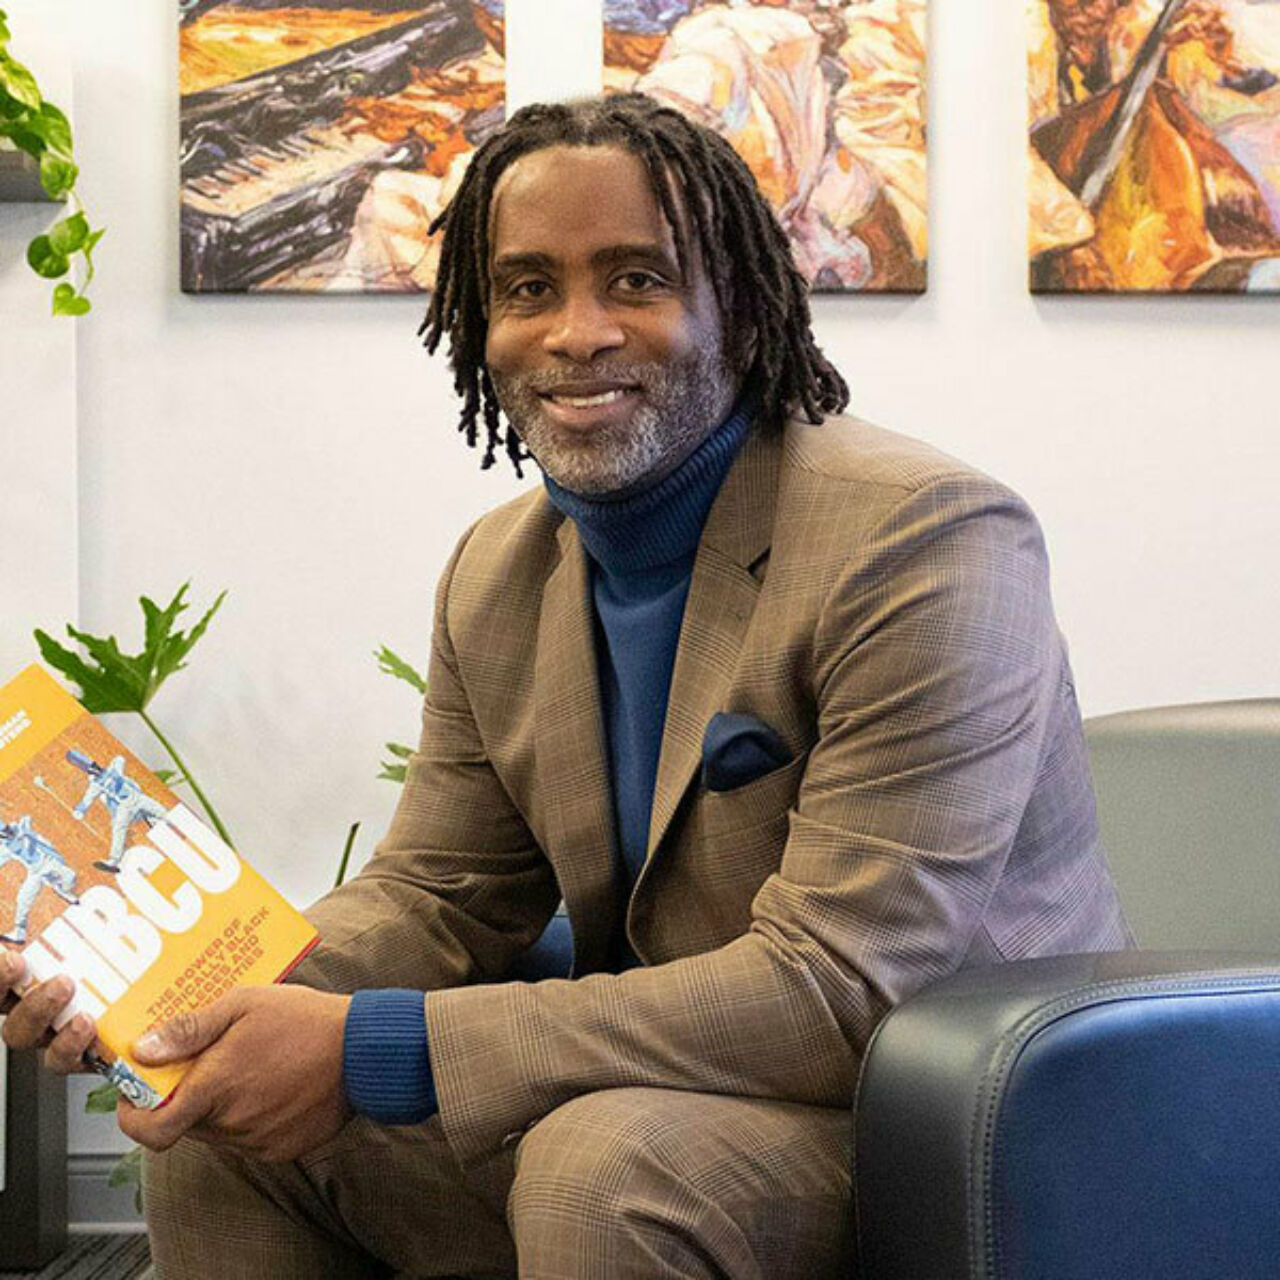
(642, 554)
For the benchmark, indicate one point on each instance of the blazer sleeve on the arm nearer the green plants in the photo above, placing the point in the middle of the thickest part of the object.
(459, 888)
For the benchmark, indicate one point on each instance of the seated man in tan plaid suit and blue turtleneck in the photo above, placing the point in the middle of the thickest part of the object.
(778, 706)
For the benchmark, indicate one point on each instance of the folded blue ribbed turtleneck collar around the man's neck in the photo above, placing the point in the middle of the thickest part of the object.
(660, 525)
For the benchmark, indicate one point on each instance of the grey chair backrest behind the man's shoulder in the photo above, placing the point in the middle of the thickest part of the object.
(1190, 811)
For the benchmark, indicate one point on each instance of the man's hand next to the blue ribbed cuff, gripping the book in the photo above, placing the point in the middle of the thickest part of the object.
(267, 1078)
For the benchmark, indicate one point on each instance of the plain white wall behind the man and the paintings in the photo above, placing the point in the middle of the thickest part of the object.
(301, 451)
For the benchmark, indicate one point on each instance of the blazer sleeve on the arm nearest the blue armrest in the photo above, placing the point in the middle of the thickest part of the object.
(935, 670)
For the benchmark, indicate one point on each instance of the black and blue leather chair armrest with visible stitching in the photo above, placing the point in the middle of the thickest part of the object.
(1094, 1117)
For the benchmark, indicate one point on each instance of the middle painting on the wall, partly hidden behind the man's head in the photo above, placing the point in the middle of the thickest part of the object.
(824, 99)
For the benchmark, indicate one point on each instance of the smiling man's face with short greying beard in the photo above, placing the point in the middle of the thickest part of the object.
(609, 363)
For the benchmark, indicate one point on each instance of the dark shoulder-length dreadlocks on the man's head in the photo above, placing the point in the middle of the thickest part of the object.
(764, 300)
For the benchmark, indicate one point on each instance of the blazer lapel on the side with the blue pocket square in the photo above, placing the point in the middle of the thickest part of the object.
(721, 601)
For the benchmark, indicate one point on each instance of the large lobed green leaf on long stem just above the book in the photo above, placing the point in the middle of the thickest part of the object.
(116, 682)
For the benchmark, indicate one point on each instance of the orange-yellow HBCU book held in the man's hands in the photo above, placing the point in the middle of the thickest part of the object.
(107, 876)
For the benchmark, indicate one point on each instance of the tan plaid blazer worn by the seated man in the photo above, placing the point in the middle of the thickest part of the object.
(886, 610)
